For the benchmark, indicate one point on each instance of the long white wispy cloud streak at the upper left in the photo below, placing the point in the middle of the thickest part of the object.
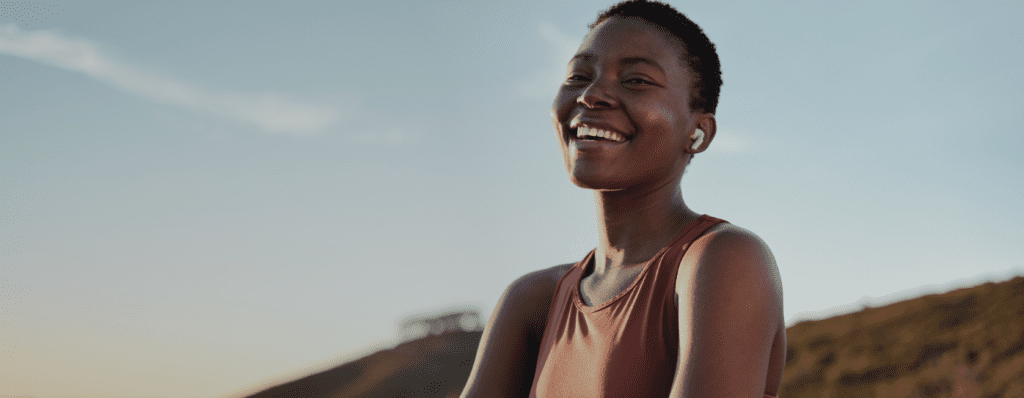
(272, 112)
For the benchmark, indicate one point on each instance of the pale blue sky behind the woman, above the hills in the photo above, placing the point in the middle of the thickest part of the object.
(202, 197)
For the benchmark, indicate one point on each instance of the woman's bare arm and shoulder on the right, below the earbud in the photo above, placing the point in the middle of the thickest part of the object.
(730, 316)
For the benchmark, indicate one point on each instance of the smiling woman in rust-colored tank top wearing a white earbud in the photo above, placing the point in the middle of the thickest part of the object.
(671, 303)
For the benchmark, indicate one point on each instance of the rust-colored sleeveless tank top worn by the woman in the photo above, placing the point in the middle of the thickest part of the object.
(626, 347)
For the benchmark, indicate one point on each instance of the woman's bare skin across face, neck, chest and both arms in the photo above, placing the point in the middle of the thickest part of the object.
(628, 78)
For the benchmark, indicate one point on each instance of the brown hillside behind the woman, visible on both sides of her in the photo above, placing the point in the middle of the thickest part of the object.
(966, 343)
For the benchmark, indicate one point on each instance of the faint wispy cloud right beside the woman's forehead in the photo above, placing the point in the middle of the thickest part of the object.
(543, 83)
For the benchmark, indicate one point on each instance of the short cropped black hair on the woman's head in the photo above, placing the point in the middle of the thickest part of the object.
(699, 52)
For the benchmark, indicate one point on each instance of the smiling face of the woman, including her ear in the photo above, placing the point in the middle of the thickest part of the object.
(627, 79)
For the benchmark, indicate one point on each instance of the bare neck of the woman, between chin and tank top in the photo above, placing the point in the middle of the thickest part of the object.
(633, 228)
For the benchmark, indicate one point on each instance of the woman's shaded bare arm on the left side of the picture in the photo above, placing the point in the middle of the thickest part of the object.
(507, 356)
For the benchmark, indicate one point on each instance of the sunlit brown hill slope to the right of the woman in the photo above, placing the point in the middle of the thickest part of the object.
(966, 343)
